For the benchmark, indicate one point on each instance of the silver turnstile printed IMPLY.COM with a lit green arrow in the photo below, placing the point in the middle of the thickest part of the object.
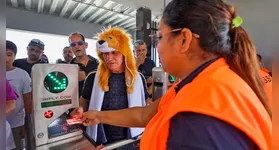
(55, 91)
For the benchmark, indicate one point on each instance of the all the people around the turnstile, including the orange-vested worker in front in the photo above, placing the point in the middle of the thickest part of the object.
(222, 101)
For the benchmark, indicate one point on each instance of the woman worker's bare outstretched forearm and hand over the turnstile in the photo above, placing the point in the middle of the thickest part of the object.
(130, 117)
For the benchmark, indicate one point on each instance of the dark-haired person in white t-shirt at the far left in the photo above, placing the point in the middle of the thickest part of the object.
(20, 82)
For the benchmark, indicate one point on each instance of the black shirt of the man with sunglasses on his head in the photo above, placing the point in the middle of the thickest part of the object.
(23, 64)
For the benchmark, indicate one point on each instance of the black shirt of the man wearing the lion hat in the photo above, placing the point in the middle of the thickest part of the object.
(116, 98)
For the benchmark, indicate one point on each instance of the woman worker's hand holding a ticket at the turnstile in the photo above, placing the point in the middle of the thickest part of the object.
(91, 117)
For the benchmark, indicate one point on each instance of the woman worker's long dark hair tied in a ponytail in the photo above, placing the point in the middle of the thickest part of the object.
(212, 20)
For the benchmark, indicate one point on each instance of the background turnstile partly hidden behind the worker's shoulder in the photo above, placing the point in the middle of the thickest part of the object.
(161, 81)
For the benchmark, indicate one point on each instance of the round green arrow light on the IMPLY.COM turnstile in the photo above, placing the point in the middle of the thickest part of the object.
(56, 82)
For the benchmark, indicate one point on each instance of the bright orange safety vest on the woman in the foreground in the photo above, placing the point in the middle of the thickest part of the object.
(218, 92)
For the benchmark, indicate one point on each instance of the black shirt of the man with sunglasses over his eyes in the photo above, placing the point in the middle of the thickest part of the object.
(92, 65)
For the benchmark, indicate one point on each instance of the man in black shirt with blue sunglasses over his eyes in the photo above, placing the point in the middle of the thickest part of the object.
(85, 62)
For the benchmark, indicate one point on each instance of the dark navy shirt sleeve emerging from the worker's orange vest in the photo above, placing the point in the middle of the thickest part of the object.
(193, 131)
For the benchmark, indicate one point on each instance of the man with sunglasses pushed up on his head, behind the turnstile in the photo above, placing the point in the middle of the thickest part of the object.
(35, 50)
